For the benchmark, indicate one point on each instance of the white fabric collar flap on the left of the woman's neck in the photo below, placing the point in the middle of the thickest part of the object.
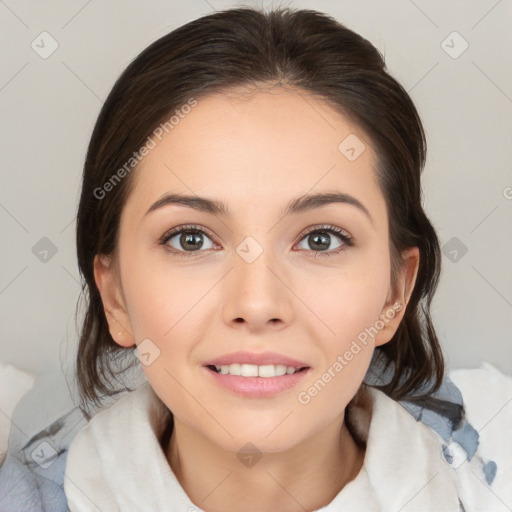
(103, 454)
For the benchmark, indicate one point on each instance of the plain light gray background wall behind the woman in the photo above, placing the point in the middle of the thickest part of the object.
(48, 108)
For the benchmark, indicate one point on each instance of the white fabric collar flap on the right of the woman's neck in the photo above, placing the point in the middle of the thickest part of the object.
(402, 456)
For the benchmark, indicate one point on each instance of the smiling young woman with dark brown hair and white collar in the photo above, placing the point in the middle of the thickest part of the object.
(251, 234)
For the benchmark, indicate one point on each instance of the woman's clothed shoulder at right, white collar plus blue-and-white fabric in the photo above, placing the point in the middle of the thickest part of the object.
(463, 456)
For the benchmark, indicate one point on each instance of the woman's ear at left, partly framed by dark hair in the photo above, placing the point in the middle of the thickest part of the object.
(108, 283)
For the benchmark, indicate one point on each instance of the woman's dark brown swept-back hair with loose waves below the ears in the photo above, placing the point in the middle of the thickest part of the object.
(309, 52)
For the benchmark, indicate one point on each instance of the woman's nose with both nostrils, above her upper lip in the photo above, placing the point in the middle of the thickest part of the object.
(257, 294)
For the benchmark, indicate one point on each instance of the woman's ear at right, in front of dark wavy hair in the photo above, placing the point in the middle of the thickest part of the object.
(396, 303)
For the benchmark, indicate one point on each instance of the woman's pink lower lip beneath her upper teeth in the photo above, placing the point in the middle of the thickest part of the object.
(257, 387)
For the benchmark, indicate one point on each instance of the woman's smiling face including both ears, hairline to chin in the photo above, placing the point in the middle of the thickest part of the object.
(304, 285)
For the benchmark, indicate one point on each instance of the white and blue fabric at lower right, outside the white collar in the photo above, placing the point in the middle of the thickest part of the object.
(476, 446)
